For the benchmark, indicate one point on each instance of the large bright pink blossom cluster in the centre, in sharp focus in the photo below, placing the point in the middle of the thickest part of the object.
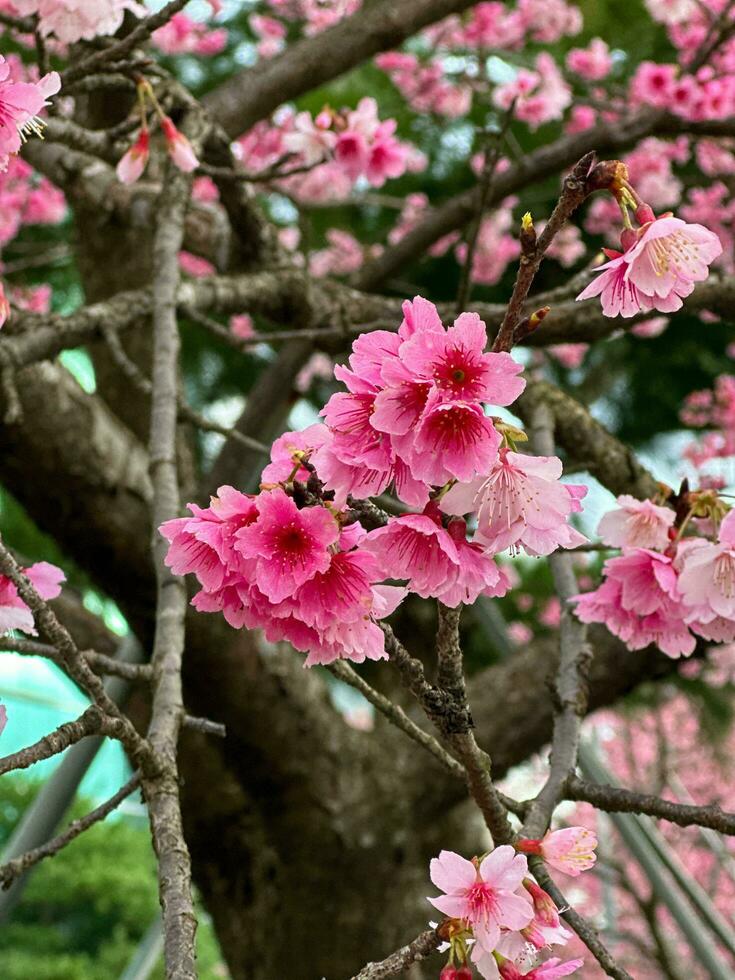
(306, 562)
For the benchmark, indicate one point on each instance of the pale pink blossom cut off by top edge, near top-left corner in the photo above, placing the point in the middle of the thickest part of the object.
(78, 20)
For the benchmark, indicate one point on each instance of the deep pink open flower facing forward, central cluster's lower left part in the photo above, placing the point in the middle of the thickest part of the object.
(290, 545)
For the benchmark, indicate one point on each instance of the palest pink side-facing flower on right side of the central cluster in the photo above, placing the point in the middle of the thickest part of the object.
(520, 503)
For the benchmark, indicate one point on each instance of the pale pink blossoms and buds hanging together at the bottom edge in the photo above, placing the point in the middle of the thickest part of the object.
(500, 918)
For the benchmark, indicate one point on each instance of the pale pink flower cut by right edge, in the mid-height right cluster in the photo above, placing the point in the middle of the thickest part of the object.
(707, 576)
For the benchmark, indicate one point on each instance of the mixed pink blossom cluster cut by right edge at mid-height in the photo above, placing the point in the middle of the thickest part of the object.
(667, 586)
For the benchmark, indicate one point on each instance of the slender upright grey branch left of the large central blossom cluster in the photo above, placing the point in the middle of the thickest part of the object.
(162, 793)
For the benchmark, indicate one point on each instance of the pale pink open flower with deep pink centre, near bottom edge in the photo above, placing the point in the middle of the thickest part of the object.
(483, 894)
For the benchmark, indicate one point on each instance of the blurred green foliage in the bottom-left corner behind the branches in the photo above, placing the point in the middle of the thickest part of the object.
(85, 911)
